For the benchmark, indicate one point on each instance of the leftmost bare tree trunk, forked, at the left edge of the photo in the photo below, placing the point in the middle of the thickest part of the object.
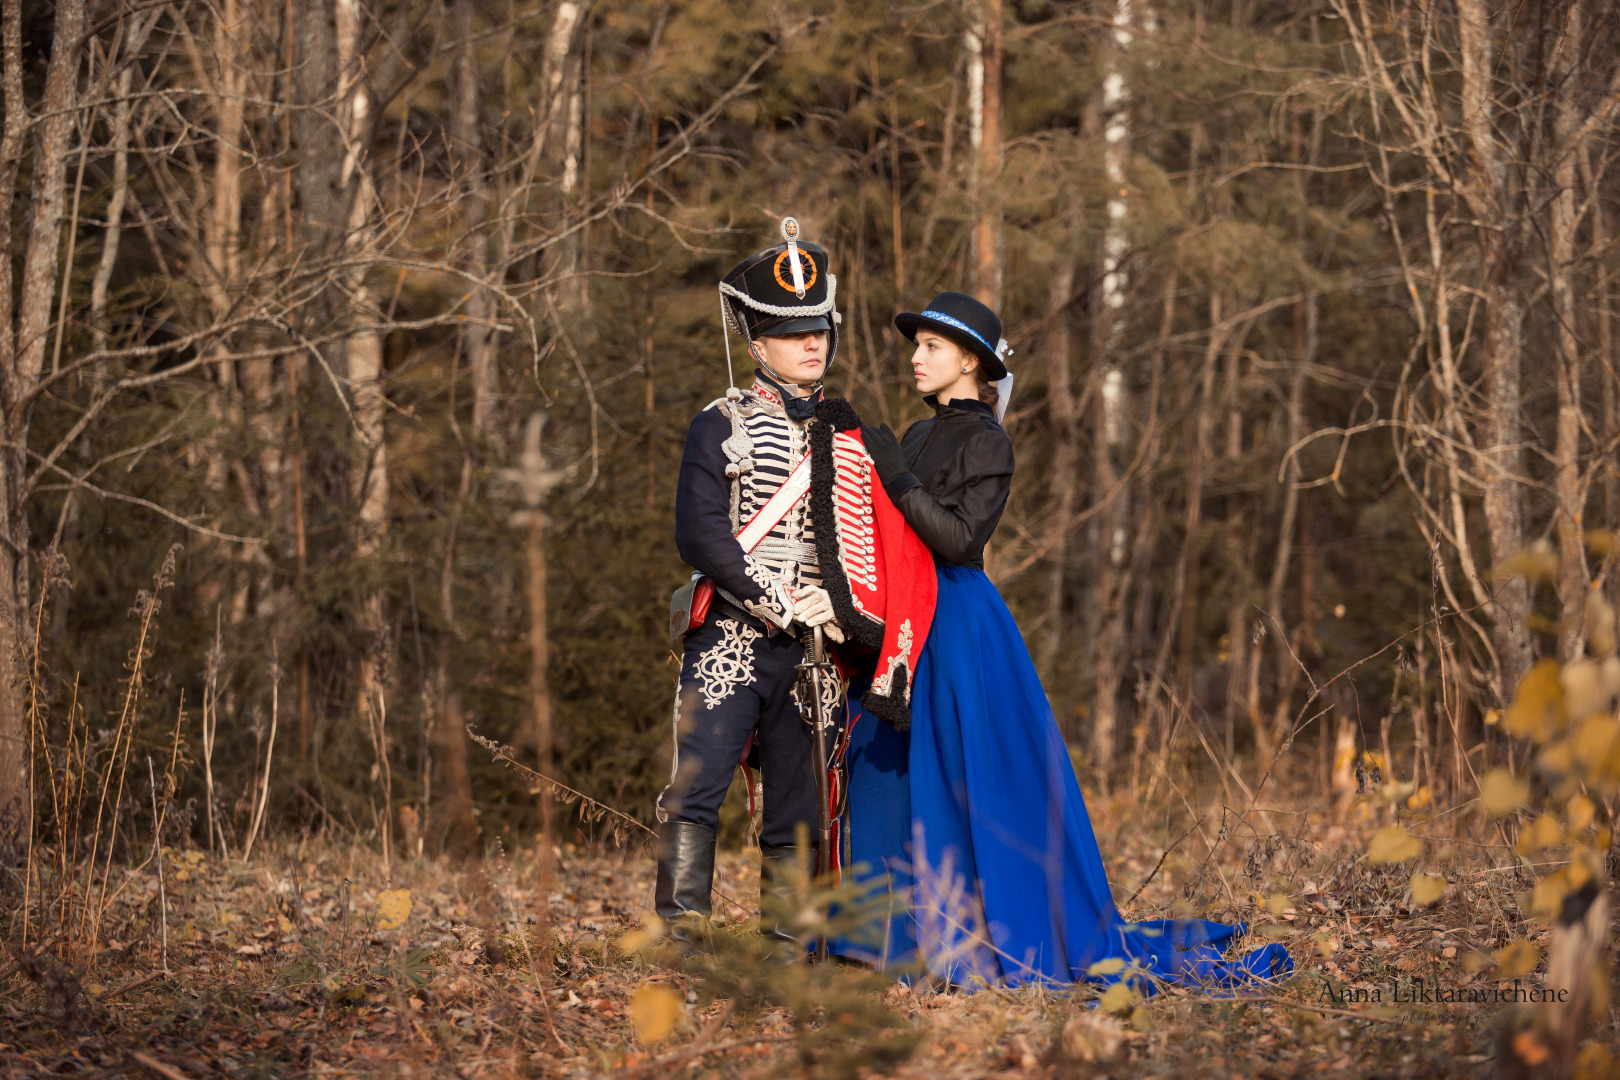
(25, 354)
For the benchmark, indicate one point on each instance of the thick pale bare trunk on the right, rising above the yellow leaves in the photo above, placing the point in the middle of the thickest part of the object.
(1494, 205)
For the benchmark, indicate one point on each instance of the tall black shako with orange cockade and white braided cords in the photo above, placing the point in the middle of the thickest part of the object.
(780, 291)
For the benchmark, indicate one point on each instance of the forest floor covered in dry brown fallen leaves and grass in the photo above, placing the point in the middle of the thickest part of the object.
(312, 961)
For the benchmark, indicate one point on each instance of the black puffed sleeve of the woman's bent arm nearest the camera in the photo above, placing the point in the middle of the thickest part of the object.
(958, 527)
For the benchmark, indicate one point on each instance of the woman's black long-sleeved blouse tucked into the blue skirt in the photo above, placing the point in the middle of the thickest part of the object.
(961, 470)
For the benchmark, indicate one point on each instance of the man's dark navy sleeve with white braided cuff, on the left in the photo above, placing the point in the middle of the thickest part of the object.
(704, 525)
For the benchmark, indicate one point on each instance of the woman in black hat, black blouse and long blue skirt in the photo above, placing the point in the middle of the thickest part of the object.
(974, 814)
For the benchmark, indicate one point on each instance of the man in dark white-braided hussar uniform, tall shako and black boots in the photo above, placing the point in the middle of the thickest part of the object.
(746, 464)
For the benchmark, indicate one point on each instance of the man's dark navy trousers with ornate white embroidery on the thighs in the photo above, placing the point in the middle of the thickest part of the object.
(738, 681)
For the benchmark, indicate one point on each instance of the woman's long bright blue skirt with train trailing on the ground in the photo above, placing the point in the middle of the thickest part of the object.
(976, 823)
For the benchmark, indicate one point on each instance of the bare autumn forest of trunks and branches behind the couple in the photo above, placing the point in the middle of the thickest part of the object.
(1311, 308)
